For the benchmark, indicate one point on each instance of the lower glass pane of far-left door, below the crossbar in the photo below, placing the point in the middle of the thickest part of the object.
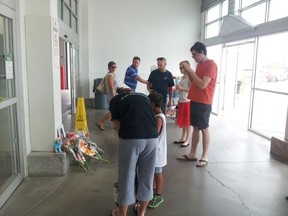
(9, 151)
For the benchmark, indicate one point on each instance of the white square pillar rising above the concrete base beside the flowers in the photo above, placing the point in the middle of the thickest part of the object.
(43, 73)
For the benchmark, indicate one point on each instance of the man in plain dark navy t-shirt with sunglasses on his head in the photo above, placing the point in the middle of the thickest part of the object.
(161, 81)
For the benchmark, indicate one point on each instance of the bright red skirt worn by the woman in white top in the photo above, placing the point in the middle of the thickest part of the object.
(183, 114)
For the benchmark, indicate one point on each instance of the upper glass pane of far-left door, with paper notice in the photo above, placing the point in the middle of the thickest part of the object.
(7, 76)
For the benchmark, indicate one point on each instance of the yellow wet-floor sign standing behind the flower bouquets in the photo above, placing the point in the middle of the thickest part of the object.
(81, 119)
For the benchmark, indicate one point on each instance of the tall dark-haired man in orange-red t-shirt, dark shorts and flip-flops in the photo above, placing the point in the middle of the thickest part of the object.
(203, 82)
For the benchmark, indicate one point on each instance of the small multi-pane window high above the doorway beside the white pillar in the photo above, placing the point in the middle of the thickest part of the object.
(68, 12)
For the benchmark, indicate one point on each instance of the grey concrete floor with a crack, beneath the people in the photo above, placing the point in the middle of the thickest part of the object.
(241, 179)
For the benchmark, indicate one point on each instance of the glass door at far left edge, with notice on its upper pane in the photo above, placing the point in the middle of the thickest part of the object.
(11, 172)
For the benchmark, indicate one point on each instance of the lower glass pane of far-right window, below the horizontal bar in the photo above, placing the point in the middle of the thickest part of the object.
(269, 111)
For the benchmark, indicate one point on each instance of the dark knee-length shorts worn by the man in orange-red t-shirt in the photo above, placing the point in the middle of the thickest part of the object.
(200, 115)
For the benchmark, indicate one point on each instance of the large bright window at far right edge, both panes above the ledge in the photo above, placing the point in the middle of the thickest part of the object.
(271, 86)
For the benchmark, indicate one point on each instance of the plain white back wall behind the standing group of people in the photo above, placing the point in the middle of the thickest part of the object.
(120, 30)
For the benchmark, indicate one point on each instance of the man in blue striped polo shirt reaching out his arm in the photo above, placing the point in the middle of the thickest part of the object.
(131, 75)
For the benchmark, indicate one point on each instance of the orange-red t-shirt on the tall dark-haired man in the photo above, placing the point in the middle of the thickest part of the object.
(208, 69)
